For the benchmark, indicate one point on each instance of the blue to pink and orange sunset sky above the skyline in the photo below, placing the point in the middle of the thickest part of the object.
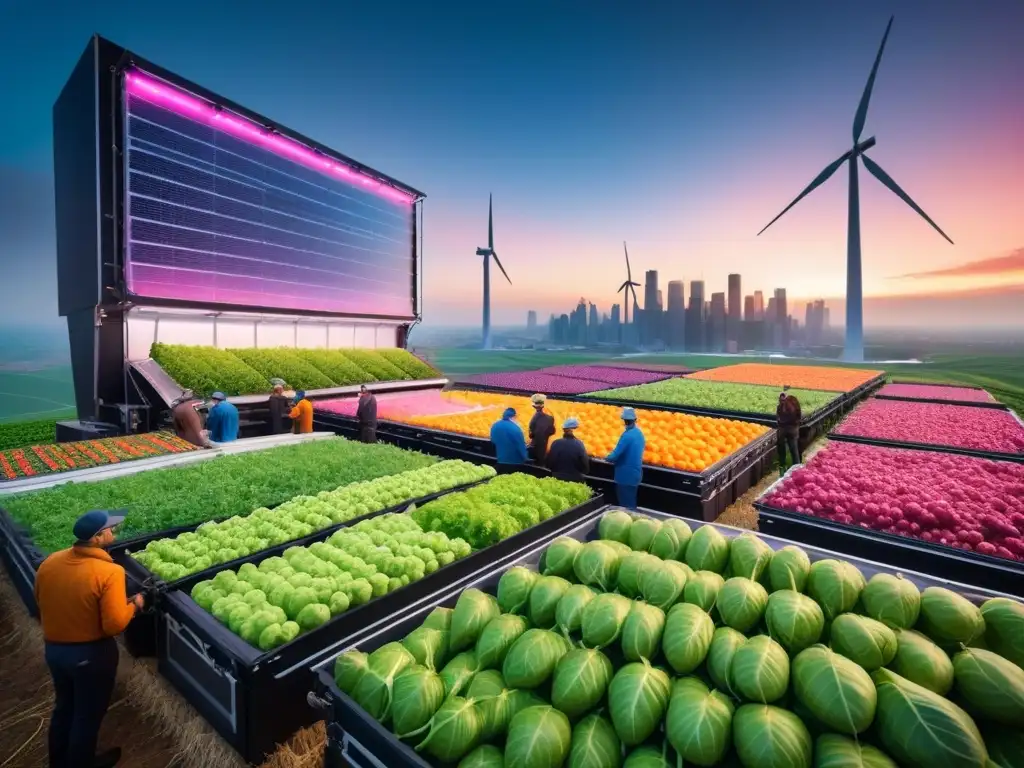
(682, 129)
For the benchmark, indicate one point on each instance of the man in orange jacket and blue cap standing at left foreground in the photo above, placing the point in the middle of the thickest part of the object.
(83, 607)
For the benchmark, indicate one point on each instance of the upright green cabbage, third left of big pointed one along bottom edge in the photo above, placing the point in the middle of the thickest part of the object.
(700, 722)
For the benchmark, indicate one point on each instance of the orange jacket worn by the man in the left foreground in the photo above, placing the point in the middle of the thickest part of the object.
(81, 596)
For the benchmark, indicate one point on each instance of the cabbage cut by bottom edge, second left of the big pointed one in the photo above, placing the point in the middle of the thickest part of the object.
(771, 738)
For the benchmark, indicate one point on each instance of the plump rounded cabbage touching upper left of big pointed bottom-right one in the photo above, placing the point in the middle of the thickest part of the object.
(836, 691)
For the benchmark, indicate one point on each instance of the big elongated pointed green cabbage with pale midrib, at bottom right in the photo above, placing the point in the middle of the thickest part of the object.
(920, 728)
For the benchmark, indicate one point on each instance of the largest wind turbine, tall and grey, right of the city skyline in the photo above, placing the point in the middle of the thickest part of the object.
(855, 351)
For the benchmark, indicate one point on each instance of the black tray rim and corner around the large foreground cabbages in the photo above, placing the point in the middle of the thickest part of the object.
(362, 741)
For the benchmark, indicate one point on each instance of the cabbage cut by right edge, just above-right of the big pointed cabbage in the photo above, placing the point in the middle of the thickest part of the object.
(992, 687)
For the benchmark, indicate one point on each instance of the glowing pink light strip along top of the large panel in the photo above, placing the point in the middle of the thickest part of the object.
(172, 99)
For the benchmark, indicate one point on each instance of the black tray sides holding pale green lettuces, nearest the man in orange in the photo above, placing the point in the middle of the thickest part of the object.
(258, 700)
